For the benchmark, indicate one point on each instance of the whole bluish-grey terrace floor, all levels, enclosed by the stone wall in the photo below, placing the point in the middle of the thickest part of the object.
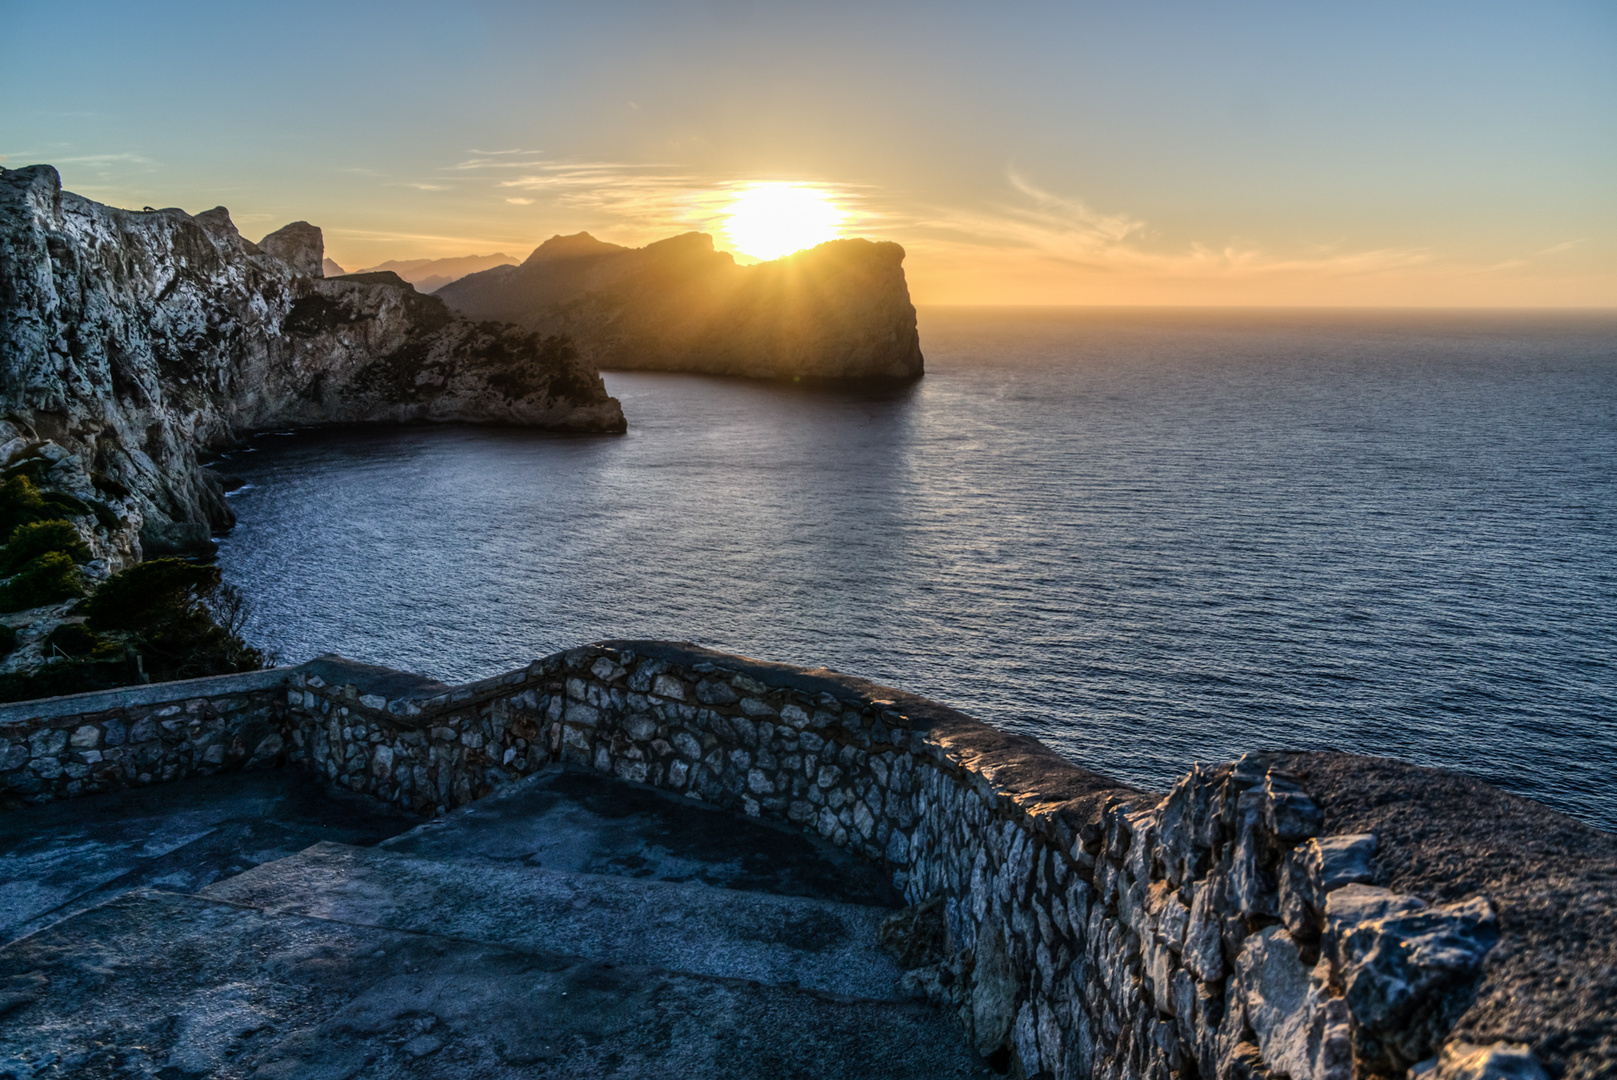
(570, 926)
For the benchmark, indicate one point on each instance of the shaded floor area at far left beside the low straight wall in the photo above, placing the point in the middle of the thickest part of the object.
(62, 858)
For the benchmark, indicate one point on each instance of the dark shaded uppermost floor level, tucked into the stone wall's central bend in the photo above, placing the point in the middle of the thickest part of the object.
(570, 819)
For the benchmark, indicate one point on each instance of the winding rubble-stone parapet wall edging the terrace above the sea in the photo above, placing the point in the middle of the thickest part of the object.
(1285, 916)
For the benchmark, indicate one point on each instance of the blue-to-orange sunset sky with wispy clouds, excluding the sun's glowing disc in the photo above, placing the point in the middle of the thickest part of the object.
(1445, 154)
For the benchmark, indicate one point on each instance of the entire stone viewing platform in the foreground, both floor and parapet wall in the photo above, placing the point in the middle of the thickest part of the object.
(646, 859)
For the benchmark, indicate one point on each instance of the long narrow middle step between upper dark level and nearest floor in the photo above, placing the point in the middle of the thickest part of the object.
(732, 934)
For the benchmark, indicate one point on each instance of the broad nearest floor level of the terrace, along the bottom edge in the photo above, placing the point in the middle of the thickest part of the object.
(158, 984)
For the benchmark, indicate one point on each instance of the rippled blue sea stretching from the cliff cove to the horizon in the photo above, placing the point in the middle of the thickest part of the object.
(1144, 538)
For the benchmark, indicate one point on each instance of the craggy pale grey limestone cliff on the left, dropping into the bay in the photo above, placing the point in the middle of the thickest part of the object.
(138, 342)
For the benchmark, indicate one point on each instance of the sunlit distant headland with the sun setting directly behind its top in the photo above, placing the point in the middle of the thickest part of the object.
(837, 311)
